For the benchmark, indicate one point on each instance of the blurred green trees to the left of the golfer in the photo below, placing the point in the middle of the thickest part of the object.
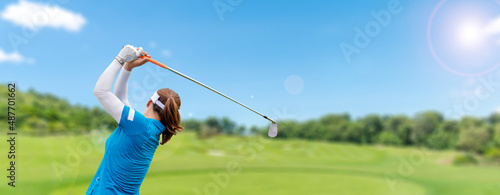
(43, 114)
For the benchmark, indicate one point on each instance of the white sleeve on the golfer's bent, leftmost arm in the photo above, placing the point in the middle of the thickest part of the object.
(102, 91)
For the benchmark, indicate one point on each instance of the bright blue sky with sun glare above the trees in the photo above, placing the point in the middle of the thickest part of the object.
(282, 58)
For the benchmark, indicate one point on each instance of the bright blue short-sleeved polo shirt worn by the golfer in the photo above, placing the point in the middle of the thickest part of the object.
(127, 155)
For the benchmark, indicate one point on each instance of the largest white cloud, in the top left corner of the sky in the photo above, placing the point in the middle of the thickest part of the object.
(36, 15)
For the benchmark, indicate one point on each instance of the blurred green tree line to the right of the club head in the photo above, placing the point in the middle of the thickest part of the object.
(428, 129)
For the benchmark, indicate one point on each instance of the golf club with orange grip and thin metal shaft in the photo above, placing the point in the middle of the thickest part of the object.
(273, 130)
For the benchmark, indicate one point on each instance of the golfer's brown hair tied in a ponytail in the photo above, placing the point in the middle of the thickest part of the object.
(170, 117)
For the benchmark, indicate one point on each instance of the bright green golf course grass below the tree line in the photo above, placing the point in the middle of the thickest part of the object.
(256, 166)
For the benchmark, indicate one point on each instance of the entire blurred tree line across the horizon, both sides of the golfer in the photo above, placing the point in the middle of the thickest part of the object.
(46, 114)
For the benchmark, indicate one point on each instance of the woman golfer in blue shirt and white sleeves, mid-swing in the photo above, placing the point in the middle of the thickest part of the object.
(130, 148)
